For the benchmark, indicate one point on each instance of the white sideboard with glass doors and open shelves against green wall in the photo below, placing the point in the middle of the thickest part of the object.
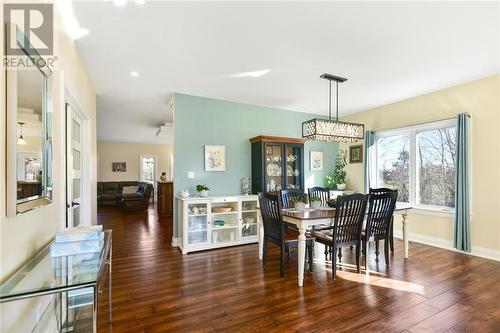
(217, 221)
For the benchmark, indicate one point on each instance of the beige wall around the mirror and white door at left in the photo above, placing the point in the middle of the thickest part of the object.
(23, 235)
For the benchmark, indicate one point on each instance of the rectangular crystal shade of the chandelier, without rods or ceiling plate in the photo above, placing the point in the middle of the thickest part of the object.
(332, 131)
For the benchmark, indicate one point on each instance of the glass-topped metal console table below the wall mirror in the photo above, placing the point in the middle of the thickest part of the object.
(72, 282)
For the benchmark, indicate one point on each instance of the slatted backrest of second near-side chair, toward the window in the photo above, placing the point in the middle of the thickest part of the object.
(380, 211)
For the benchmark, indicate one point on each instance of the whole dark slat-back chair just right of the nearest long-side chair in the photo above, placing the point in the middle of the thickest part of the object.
(378, 222)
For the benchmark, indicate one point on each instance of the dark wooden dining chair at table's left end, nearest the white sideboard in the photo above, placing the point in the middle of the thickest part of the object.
(275, 230)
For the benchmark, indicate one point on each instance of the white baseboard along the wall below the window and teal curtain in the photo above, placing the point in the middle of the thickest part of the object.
(446, 244)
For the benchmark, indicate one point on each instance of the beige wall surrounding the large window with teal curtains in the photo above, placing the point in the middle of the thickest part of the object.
(481, 99)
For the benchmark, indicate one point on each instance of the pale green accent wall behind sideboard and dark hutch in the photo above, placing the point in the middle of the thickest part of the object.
(200, 121)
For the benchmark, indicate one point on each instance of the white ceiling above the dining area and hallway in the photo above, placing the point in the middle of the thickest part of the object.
(389, 51)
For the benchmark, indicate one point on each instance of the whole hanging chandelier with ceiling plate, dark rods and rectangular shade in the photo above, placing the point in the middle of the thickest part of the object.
(332, 130)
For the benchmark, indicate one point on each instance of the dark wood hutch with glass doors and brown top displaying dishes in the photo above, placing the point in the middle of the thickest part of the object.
(277, 163)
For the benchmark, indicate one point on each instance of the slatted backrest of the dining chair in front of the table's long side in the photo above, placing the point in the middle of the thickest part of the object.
(349, 215)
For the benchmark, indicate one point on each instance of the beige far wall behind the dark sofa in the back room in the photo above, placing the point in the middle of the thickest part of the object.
(109, 152)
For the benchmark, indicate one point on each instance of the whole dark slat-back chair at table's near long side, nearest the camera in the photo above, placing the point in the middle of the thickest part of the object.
(346, 229)
